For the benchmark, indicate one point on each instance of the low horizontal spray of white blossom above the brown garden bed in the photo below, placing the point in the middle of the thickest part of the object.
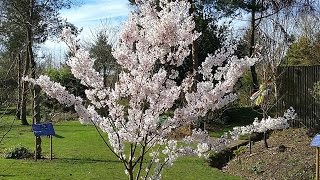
(264, 125)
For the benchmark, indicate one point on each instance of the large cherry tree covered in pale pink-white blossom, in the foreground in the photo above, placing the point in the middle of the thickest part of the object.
(131, 112)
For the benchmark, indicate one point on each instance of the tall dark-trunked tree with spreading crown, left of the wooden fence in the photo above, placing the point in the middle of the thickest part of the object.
(259, 10)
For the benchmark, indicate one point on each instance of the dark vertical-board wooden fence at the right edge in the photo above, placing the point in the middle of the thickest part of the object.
(294, 84)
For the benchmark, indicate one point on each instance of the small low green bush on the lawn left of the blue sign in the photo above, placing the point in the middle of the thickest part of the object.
(17, 152)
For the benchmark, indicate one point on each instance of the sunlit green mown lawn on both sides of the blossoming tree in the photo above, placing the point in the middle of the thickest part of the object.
(81, 154)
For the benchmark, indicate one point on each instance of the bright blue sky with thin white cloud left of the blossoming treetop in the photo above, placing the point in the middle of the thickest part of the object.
(89, 16)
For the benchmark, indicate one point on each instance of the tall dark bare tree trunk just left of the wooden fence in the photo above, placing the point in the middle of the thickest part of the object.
(255, 83)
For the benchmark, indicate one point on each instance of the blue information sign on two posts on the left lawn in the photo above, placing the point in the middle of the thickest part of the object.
(45, 129)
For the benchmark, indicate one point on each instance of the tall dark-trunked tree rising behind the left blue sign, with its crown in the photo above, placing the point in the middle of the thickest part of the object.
(36, 20)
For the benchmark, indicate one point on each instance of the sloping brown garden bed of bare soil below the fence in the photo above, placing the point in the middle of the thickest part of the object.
(288, 157)
